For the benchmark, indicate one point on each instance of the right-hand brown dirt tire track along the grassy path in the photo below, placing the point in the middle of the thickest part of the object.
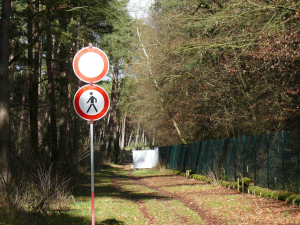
(204, 214)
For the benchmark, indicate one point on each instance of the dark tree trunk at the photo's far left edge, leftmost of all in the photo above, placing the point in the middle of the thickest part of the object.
(4, 85)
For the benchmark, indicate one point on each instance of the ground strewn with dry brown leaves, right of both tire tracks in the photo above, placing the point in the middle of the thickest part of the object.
(228, 205)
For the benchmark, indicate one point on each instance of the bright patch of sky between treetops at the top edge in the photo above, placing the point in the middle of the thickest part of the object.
(138, 8)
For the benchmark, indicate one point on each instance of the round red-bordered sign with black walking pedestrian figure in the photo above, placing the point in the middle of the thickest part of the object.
(91, 102)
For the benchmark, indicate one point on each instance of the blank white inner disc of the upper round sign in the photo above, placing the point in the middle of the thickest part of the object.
(91, 64)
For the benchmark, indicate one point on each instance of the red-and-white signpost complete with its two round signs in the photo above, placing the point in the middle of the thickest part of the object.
(91, 65)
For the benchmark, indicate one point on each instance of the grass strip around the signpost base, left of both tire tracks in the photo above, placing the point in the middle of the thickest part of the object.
(110, 205)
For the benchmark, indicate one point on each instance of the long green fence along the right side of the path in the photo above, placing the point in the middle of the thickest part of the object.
(271, 160)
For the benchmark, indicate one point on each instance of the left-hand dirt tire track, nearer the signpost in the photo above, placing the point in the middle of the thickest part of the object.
(141, 205)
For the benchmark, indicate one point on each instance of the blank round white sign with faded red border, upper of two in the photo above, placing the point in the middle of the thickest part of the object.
(90, 64)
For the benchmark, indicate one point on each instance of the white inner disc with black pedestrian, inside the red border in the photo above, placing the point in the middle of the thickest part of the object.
(91, 102)
